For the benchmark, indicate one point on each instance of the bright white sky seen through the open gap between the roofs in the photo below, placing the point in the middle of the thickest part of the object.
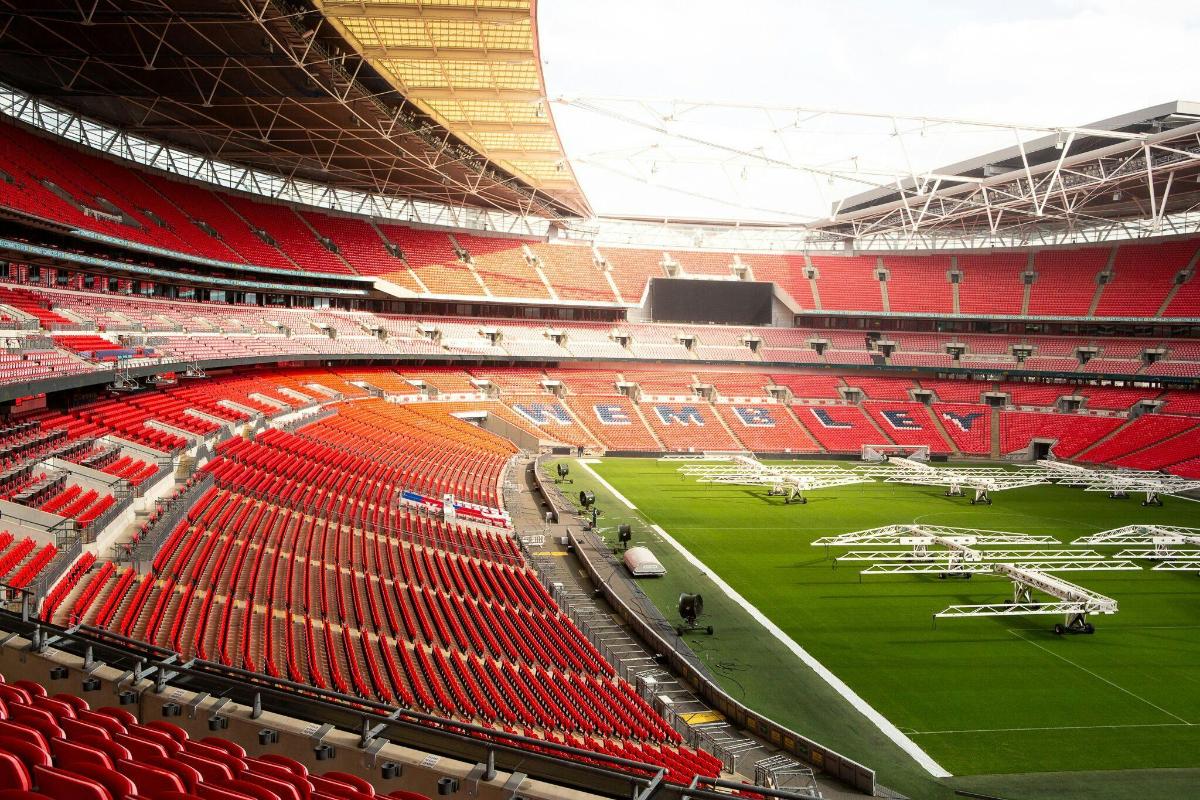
(1047, 63)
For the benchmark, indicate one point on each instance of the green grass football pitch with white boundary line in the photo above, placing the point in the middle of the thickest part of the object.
(1003, 705)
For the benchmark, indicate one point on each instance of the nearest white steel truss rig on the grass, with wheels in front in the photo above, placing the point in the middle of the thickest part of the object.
(959, 556)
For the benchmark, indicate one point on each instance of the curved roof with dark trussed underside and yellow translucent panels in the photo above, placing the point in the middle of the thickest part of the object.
(278, 87)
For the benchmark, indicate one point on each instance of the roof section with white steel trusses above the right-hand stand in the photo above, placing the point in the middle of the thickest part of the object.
(1139, 167)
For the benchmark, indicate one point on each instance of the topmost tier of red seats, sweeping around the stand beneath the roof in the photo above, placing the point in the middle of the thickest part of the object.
(58, 182)
